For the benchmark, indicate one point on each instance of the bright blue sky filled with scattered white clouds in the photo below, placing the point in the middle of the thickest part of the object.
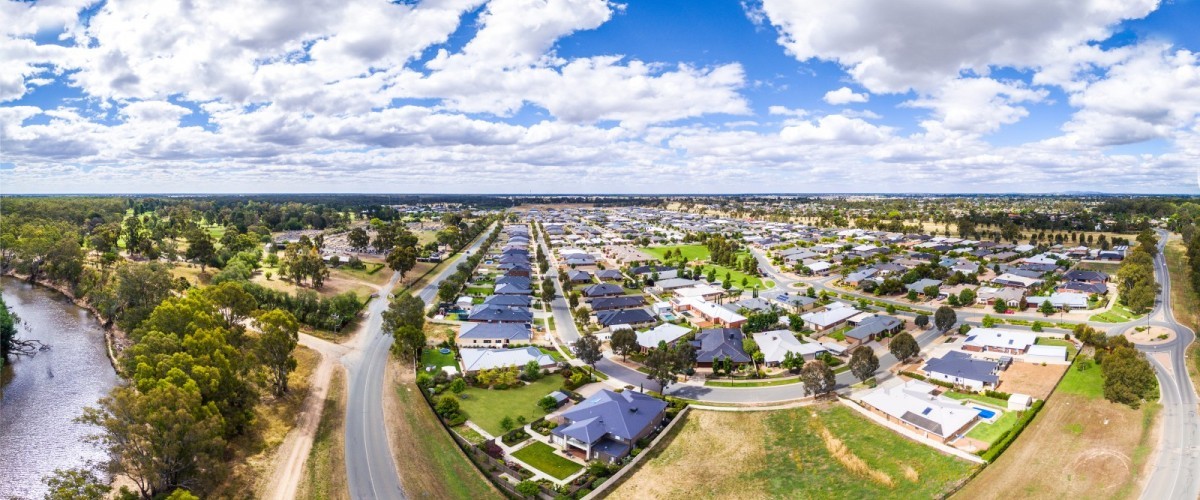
(596, 97)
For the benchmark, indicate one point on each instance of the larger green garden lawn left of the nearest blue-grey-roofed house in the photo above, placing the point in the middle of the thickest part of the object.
(488, 408)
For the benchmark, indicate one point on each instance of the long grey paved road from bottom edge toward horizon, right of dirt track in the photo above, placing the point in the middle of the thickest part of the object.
(370, 467)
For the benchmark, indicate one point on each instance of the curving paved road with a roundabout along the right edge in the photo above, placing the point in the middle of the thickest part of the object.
(1177, 473)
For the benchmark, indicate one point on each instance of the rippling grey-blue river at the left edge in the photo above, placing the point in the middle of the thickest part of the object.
(41, 396)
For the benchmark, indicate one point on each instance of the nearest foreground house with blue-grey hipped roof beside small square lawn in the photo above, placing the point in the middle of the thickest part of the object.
(609, 425)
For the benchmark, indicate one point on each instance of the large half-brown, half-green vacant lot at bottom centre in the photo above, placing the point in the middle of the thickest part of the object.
(826, 451)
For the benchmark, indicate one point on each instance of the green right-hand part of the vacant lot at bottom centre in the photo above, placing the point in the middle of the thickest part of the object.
(799, 461)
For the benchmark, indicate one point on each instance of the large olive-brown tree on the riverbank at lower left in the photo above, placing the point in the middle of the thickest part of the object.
(161, 439)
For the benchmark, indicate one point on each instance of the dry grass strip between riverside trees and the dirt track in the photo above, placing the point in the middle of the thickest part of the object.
(253, 455)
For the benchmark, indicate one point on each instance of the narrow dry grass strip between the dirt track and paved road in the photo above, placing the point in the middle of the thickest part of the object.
(325, 477)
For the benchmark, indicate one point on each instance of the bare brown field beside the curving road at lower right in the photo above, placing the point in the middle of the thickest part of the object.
(1079, 447)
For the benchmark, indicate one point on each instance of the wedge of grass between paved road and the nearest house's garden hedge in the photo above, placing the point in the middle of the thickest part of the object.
(430, 463)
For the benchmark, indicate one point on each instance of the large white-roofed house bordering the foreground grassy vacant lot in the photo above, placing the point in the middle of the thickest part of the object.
(920, 407)
